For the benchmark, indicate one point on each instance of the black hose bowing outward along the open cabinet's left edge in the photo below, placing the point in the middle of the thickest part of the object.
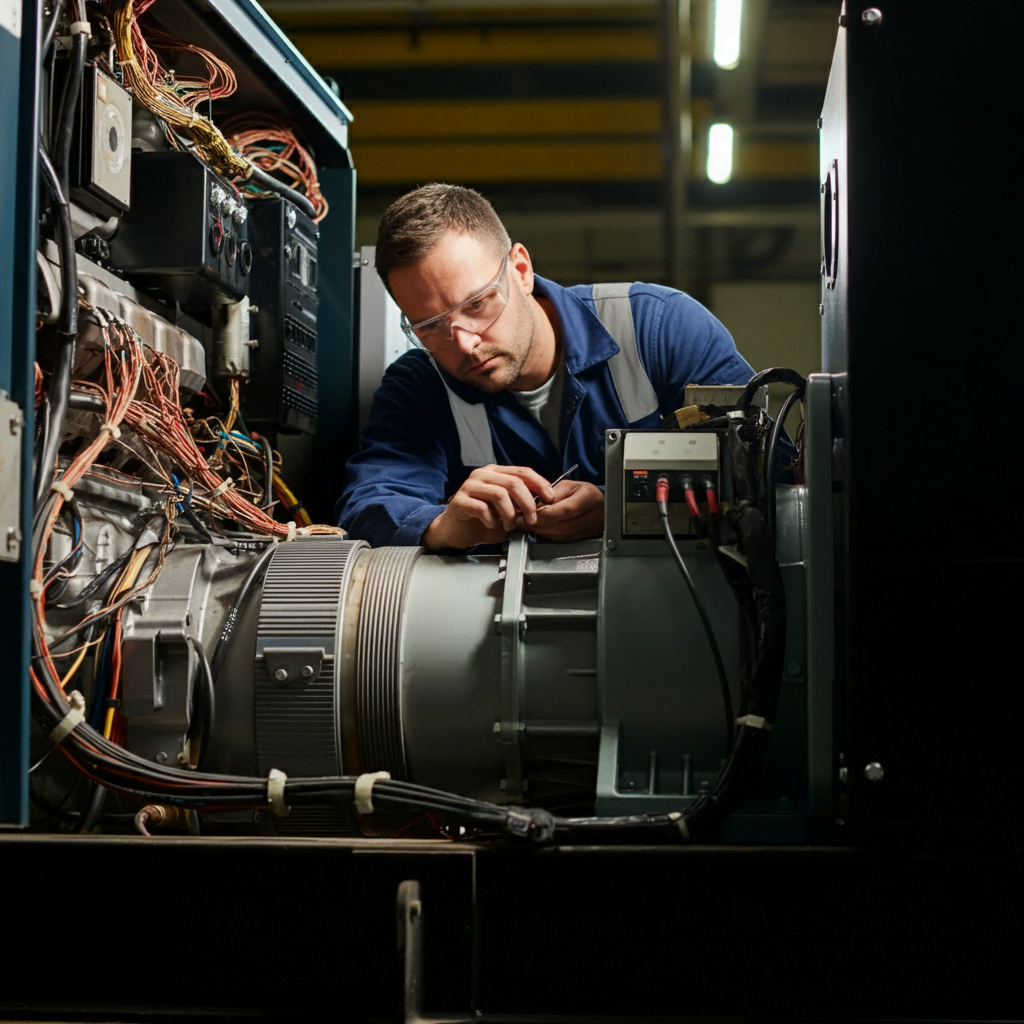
(60, 387)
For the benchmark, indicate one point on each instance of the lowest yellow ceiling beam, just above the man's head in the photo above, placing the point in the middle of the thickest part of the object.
(388, 163)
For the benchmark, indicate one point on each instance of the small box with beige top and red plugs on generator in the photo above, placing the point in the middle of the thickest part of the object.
(676, 455)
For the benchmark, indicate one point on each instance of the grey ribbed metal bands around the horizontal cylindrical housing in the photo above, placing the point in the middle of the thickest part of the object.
(301, 650)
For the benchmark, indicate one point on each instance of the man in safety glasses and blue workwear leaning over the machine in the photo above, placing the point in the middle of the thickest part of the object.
(515, 380)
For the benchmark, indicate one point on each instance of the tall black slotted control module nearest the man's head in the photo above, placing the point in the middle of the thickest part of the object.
(283, 388)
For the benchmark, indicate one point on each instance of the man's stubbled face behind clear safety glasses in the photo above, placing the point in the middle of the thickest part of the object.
(456, 270)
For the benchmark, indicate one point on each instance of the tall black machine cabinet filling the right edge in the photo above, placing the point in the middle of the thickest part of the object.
(920, 240)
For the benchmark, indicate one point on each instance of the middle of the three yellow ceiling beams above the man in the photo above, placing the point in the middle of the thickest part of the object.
(377, 120)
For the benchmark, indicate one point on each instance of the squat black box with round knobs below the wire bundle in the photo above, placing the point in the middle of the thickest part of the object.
(186, 236)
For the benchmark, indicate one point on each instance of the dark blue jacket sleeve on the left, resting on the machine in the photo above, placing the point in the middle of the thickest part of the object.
(397, 484)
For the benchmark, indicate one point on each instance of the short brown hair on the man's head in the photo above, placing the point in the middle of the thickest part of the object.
(413, 226)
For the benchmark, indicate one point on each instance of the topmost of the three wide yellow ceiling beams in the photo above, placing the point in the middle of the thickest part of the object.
(447, 47)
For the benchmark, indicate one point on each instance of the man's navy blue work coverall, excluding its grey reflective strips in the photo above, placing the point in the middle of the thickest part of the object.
(411, 459)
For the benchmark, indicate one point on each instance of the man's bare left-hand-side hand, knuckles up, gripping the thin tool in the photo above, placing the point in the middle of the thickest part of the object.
(486, 508)
